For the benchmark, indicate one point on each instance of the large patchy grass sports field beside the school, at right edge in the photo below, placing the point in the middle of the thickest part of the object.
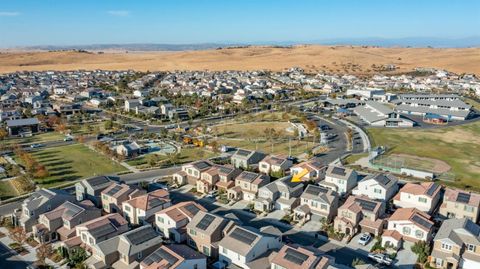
(457, 146)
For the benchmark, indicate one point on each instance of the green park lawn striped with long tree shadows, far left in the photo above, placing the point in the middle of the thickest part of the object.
(68, 163)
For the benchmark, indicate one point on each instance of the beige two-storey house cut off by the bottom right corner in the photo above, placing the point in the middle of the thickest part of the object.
(456, 245)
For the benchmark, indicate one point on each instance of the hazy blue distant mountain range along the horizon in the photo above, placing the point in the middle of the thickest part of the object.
(381, 42)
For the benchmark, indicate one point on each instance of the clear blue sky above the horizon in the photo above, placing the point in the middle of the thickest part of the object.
(69, 22)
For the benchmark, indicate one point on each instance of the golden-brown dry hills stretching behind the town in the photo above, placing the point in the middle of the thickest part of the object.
(343, 59)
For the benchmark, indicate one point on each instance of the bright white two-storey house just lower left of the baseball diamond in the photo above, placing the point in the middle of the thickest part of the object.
(379, 187)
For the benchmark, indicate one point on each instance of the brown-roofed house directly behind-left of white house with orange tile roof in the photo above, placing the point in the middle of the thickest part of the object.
(115, 194)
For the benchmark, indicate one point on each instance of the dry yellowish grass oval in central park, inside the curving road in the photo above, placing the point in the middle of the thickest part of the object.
(251, 136)
